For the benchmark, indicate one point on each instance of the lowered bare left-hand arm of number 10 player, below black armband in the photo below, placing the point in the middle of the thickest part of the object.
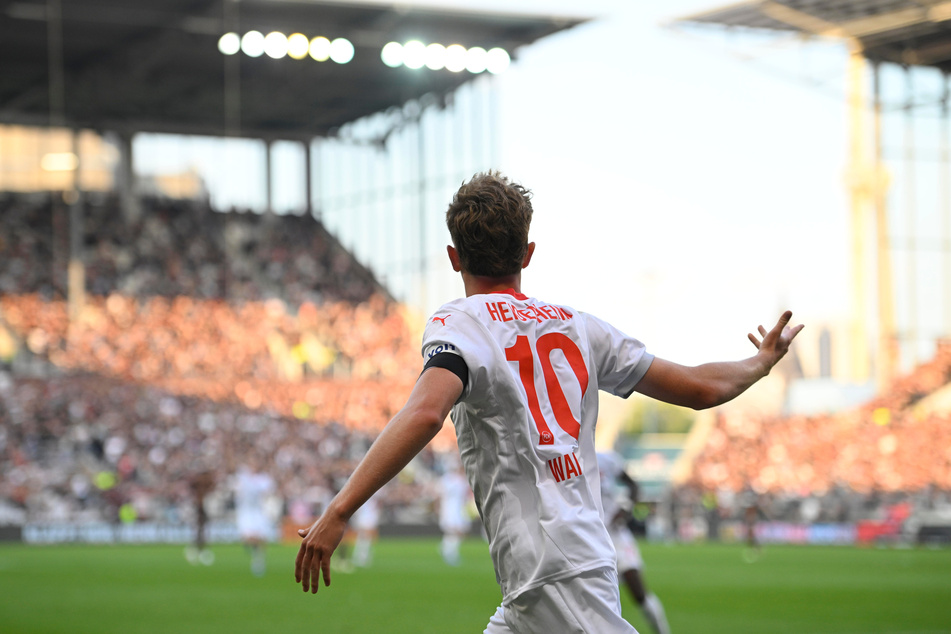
(403, 437)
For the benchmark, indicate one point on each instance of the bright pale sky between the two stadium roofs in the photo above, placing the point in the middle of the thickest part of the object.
(679, 192)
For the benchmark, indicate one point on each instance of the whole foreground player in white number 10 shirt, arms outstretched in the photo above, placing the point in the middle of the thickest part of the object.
(521, 376)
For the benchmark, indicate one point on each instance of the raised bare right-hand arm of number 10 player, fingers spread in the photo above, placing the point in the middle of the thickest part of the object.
(713, 384)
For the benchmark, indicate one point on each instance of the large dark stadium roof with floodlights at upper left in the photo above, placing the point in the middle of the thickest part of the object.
(155, 65)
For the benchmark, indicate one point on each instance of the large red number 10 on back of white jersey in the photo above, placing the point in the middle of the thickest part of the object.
(522, 353)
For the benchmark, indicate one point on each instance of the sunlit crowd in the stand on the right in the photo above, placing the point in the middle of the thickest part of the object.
(843, 466)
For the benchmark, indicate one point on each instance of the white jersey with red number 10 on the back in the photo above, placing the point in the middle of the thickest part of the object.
(525, 427)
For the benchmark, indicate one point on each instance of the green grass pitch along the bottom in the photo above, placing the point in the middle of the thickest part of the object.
(705, 589)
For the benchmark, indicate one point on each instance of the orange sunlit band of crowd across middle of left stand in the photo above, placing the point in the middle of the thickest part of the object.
(158, 339)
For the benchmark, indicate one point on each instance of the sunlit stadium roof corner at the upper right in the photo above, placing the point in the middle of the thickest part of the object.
(911, 32)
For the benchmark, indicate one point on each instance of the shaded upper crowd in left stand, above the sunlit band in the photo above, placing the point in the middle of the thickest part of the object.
(176, 248)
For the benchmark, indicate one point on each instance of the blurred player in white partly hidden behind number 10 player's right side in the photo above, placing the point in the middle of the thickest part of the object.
(619, 494)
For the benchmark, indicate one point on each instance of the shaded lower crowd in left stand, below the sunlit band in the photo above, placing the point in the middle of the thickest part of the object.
(77, 447)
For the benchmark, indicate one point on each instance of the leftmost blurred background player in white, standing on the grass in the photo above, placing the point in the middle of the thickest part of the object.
(253, 487)
